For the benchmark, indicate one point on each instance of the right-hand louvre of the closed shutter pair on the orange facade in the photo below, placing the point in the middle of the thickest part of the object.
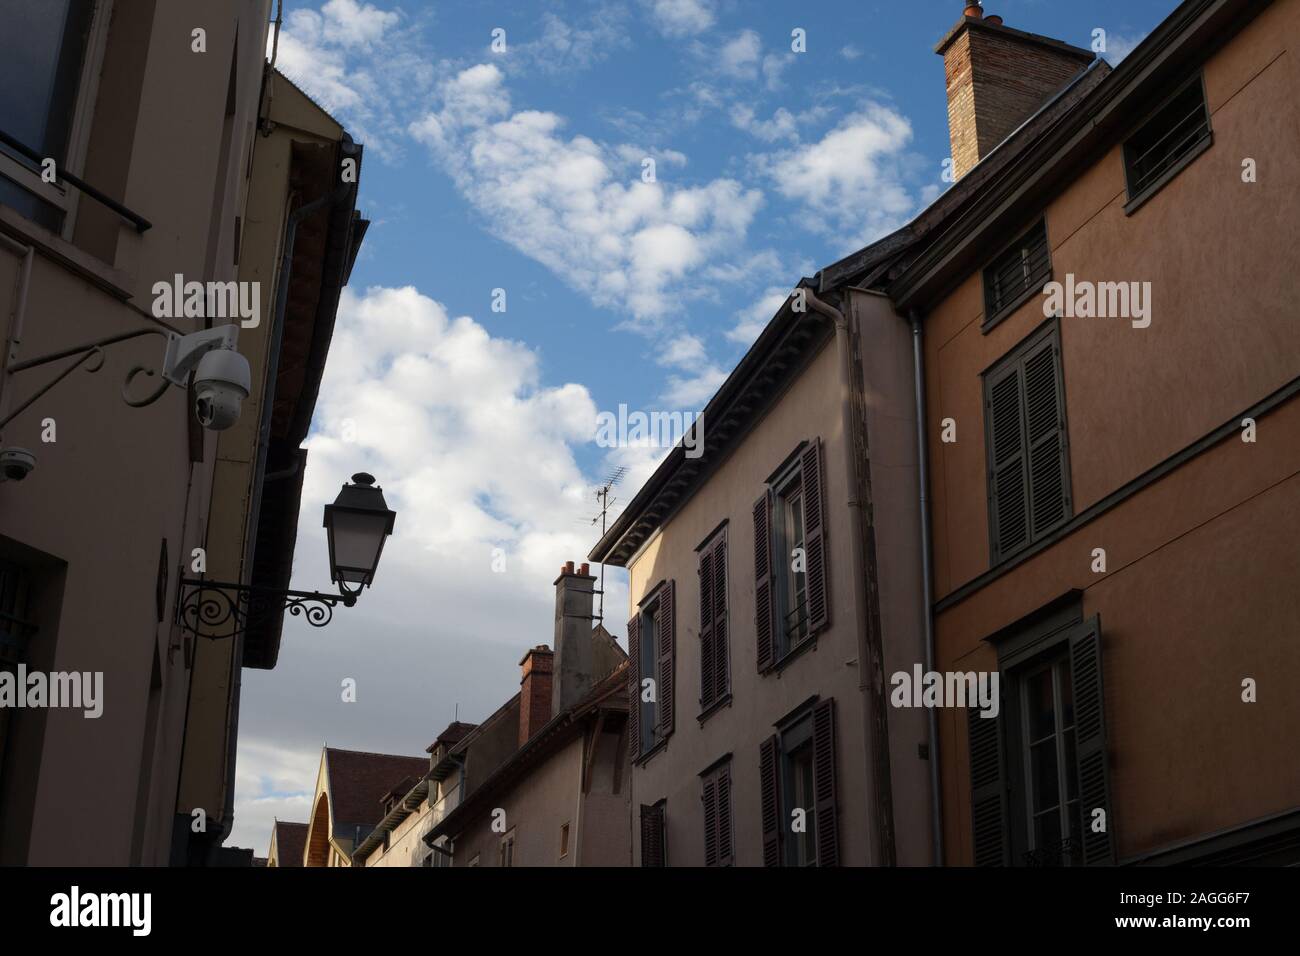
(1046, 438)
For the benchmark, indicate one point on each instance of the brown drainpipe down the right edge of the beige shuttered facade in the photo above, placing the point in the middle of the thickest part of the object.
(860, 578)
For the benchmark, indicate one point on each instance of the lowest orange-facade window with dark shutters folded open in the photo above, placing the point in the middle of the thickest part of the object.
(1039, 777)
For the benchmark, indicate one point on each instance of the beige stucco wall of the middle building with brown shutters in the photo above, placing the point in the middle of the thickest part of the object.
(811, 409)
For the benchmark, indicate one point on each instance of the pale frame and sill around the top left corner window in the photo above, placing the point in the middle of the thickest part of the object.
(66, 198)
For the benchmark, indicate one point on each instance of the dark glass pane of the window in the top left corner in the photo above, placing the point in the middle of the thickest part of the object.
(41, 60)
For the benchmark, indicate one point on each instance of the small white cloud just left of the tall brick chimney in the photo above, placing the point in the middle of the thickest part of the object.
(851, 181)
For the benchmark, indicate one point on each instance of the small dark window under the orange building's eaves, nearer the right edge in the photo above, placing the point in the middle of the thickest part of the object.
(1168, 142)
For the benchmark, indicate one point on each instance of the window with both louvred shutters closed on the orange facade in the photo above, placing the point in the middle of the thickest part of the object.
(1026, 445)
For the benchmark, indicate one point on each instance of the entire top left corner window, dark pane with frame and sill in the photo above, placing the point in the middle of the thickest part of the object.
(49, 67)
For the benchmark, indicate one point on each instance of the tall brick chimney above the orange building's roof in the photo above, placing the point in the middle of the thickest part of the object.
(998, 79)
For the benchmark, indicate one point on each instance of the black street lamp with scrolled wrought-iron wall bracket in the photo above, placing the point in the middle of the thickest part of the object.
(357, 525)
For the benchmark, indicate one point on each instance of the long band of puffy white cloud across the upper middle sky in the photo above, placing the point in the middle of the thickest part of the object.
(564, 201)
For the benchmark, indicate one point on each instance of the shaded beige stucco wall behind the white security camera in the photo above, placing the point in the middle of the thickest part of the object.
(119, 481)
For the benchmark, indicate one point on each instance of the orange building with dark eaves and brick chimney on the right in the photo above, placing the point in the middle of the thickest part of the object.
(1112, 434)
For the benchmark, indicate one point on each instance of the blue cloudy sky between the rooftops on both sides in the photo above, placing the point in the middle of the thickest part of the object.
(518, 178)
